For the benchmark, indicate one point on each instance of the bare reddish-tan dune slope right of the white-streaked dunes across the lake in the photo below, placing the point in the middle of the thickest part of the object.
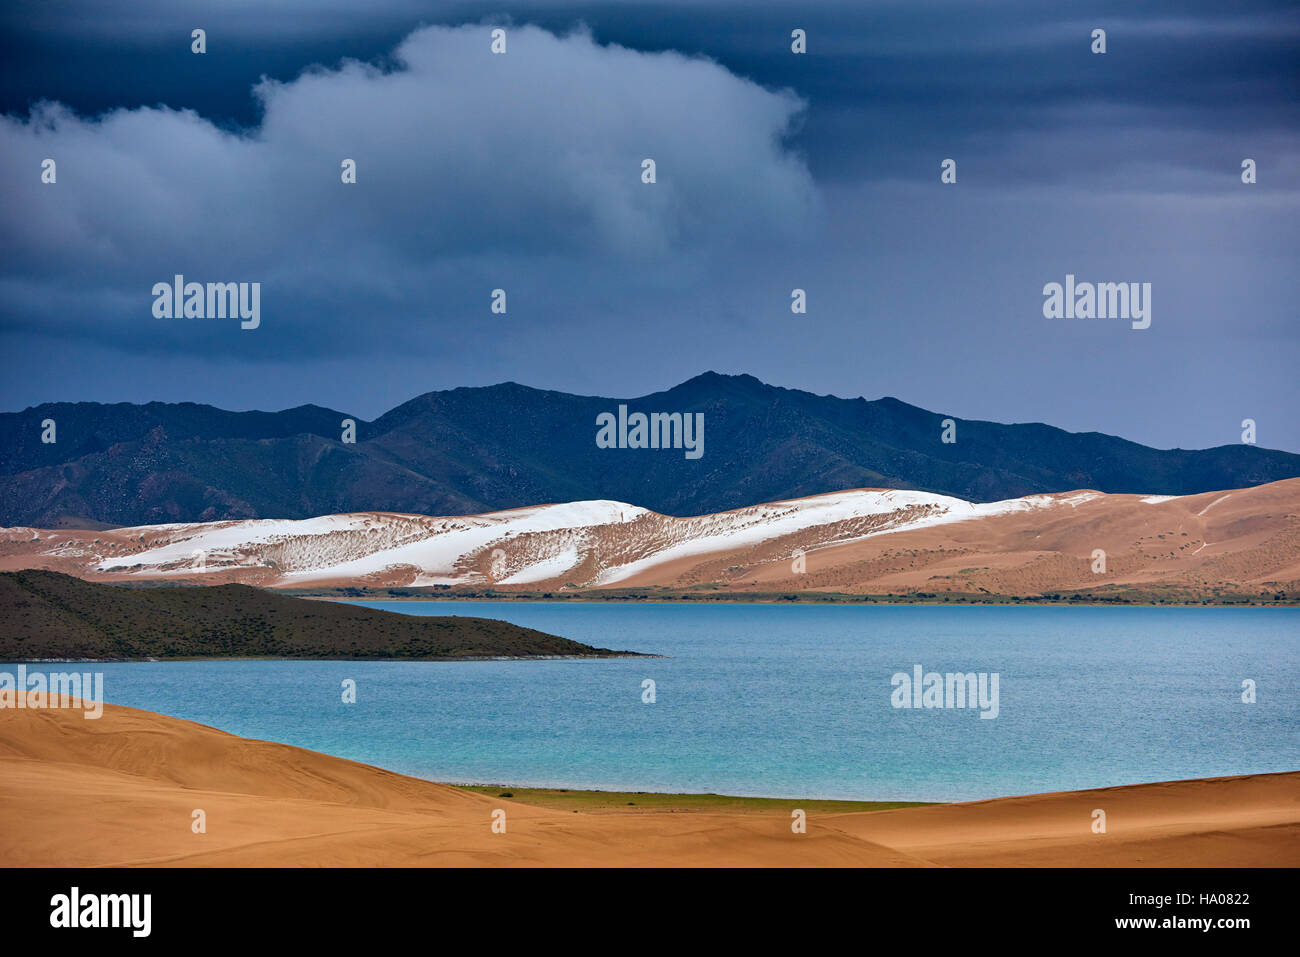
(1240, 540)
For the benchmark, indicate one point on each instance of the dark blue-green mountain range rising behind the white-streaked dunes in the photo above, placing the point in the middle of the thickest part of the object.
(475, 451)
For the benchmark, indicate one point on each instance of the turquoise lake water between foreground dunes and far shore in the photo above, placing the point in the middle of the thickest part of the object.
(788, 701)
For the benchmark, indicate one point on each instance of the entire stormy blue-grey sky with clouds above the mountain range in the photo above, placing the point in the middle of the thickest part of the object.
(774, 171)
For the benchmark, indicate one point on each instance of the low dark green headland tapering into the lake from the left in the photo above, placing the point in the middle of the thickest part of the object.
(51, 616)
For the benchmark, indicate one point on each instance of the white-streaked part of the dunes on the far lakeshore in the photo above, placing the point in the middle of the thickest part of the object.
(599, 543)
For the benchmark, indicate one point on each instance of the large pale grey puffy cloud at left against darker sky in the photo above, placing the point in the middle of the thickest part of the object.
(475, 172)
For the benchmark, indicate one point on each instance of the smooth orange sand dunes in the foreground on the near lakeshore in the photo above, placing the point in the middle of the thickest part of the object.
(122, 791)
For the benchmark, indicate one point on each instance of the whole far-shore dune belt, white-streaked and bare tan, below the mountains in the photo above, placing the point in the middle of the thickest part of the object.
(1240, 543)
